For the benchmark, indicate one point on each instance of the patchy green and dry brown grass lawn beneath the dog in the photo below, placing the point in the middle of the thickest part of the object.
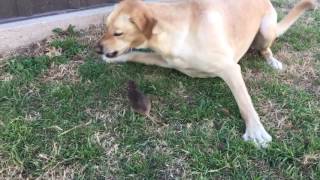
(67, 116)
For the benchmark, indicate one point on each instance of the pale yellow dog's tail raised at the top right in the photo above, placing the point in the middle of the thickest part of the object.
(294, 14)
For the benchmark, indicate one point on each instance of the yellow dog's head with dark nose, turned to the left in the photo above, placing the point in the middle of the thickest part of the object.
(128, 26)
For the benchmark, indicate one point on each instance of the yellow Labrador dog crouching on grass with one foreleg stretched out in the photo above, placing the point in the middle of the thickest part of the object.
(200, 38)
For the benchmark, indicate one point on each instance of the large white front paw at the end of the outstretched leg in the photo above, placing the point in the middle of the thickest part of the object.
(258, 135)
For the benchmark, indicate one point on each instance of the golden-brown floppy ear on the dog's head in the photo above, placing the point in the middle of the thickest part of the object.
(144, 21)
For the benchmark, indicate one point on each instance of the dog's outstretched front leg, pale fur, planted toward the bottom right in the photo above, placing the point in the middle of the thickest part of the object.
(254, 129)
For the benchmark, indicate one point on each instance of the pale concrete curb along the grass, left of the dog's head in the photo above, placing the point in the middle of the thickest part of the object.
(22, 33)
